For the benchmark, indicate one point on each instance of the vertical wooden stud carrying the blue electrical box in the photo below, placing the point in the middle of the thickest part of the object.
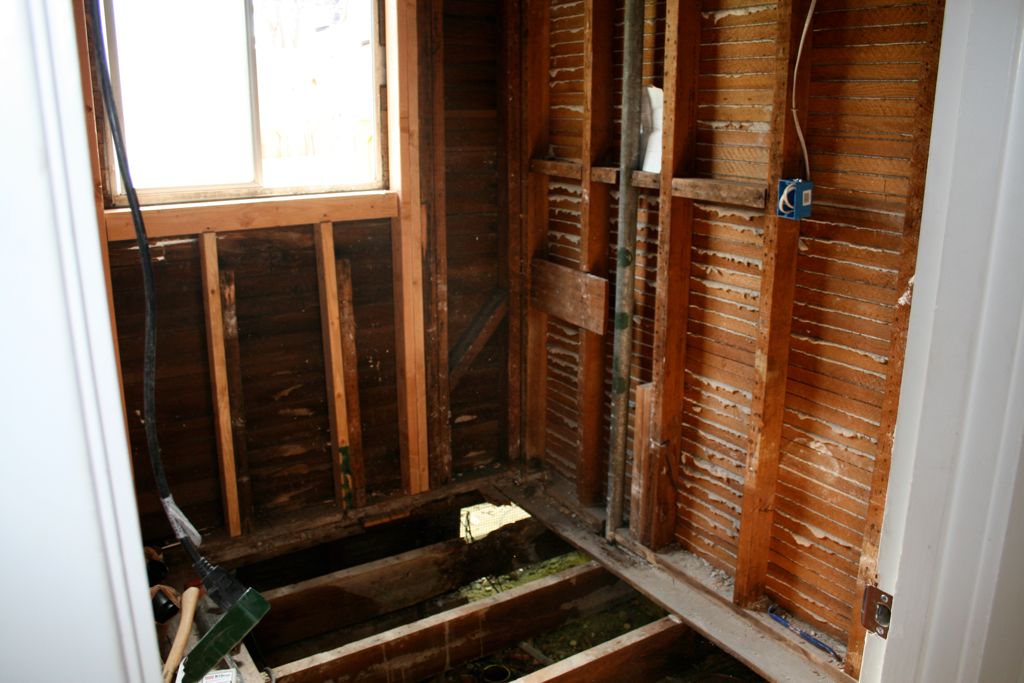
(775, 320)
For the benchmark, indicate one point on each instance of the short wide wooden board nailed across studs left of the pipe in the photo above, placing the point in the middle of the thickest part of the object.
(576, 297)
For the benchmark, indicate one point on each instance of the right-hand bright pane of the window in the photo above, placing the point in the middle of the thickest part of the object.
(315, 65)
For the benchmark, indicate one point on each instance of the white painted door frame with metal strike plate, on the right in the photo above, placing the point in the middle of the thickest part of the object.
(953, 547)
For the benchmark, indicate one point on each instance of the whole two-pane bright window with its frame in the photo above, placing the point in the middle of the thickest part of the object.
(246, 98)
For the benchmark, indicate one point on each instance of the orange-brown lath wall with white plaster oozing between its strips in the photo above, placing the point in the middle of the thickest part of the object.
(771, 351)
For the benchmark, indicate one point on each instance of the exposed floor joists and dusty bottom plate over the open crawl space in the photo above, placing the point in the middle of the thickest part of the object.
(397, 619)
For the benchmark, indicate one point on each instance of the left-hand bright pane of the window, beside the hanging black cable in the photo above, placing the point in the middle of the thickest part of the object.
(184, 76)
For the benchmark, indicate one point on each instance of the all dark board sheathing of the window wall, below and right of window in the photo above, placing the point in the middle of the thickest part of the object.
(284, 417)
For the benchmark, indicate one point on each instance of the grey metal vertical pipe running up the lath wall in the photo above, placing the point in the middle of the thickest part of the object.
(629, 161)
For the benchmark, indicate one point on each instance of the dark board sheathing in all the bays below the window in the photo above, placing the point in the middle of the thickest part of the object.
(281, 362)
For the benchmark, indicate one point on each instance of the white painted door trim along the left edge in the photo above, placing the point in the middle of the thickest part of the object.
(74, 601)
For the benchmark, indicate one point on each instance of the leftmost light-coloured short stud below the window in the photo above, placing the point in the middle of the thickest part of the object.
(219, 381)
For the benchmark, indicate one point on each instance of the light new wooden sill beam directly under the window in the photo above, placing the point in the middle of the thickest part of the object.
(194, 219)
